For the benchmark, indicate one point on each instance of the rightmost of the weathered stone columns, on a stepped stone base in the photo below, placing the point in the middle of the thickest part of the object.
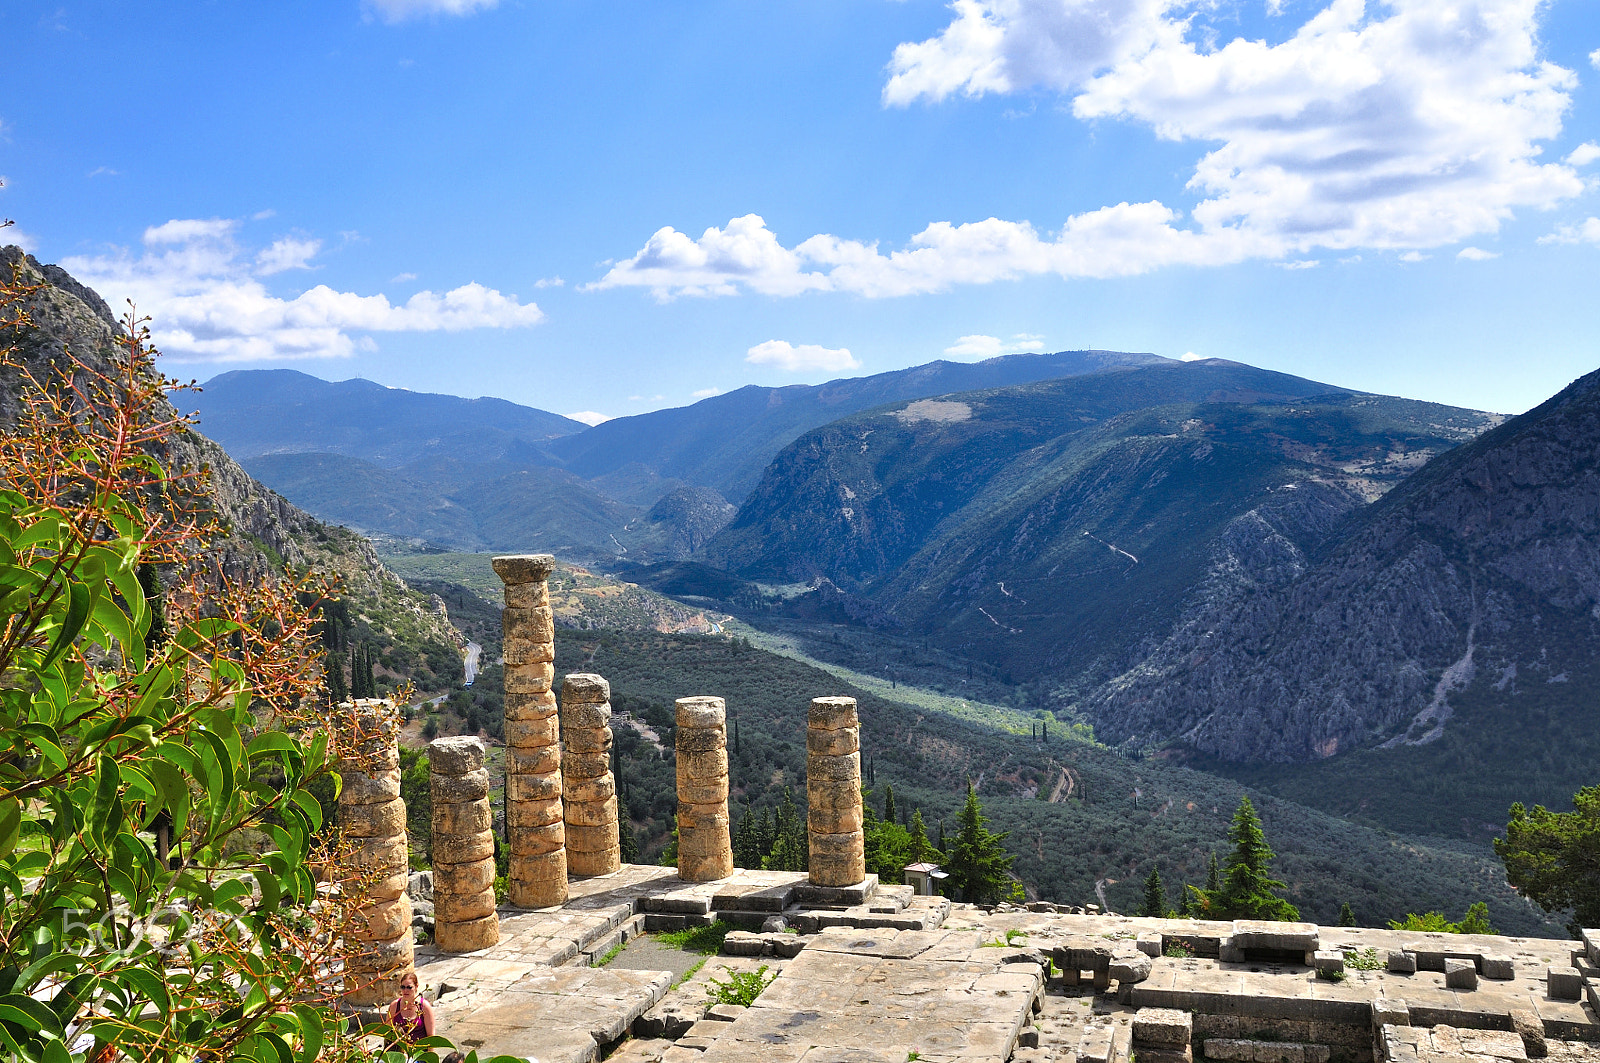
(833, 780)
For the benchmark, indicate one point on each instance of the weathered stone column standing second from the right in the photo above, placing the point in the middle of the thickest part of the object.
(705, 841)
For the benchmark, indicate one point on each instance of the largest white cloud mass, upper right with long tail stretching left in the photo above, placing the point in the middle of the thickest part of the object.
(1401, 126)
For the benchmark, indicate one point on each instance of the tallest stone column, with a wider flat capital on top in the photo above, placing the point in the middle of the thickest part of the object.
(534, 760)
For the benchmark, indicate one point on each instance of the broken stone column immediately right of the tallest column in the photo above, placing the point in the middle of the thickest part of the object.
(588, 787)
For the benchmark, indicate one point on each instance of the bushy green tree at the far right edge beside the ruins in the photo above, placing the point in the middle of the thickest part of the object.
(1554, 857)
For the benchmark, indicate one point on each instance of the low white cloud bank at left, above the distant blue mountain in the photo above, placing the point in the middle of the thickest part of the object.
(209, 305)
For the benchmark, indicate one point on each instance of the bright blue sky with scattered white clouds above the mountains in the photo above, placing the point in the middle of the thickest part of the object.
(609, 209)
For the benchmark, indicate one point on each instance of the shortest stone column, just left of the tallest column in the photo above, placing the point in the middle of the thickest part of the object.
(465, 918)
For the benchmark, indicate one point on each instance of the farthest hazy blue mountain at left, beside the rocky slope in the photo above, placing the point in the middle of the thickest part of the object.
(274, 412)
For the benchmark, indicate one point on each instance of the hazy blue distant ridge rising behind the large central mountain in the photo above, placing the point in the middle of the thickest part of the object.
(724, 443)
